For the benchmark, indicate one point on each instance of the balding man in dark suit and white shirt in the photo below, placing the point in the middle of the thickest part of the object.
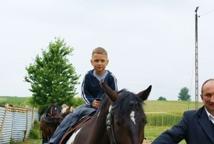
(196, 127)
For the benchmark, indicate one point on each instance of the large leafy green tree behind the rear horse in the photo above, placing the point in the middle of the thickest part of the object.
(52, 77)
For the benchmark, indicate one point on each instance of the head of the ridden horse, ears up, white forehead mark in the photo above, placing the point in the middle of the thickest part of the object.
(126, 118)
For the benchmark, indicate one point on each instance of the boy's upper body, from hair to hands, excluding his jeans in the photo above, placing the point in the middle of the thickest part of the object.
(91, 90)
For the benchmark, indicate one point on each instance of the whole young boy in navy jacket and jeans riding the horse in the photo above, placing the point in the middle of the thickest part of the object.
(91, 92)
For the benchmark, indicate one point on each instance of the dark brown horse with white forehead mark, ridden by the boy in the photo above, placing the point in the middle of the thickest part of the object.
(120, 120)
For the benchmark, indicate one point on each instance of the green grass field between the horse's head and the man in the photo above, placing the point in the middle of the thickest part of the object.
(165, 114)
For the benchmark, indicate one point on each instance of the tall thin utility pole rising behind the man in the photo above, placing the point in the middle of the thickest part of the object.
(196, 58)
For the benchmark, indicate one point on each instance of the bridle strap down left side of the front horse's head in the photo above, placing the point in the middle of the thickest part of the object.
(110, 127)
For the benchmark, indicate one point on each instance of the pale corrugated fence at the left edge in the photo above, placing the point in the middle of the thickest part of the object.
(16, 123)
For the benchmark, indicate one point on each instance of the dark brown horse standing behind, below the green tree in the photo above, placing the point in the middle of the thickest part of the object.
(49, 121)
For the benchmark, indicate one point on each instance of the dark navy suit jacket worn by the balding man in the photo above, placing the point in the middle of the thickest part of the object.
(195, 127)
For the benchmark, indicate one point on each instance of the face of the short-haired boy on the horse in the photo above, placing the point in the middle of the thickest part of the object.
(99, 62)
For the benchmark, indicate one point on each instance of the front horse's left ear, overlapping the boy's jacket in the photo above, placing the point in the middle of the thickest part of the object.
(111, 93)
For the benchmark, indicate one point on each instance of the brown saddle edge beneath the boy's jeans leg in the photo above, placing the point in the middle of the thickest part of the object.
(74, 128)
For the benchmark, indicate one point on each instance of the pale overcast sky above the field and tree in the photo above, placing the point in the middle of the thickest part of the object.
(148, 41)
